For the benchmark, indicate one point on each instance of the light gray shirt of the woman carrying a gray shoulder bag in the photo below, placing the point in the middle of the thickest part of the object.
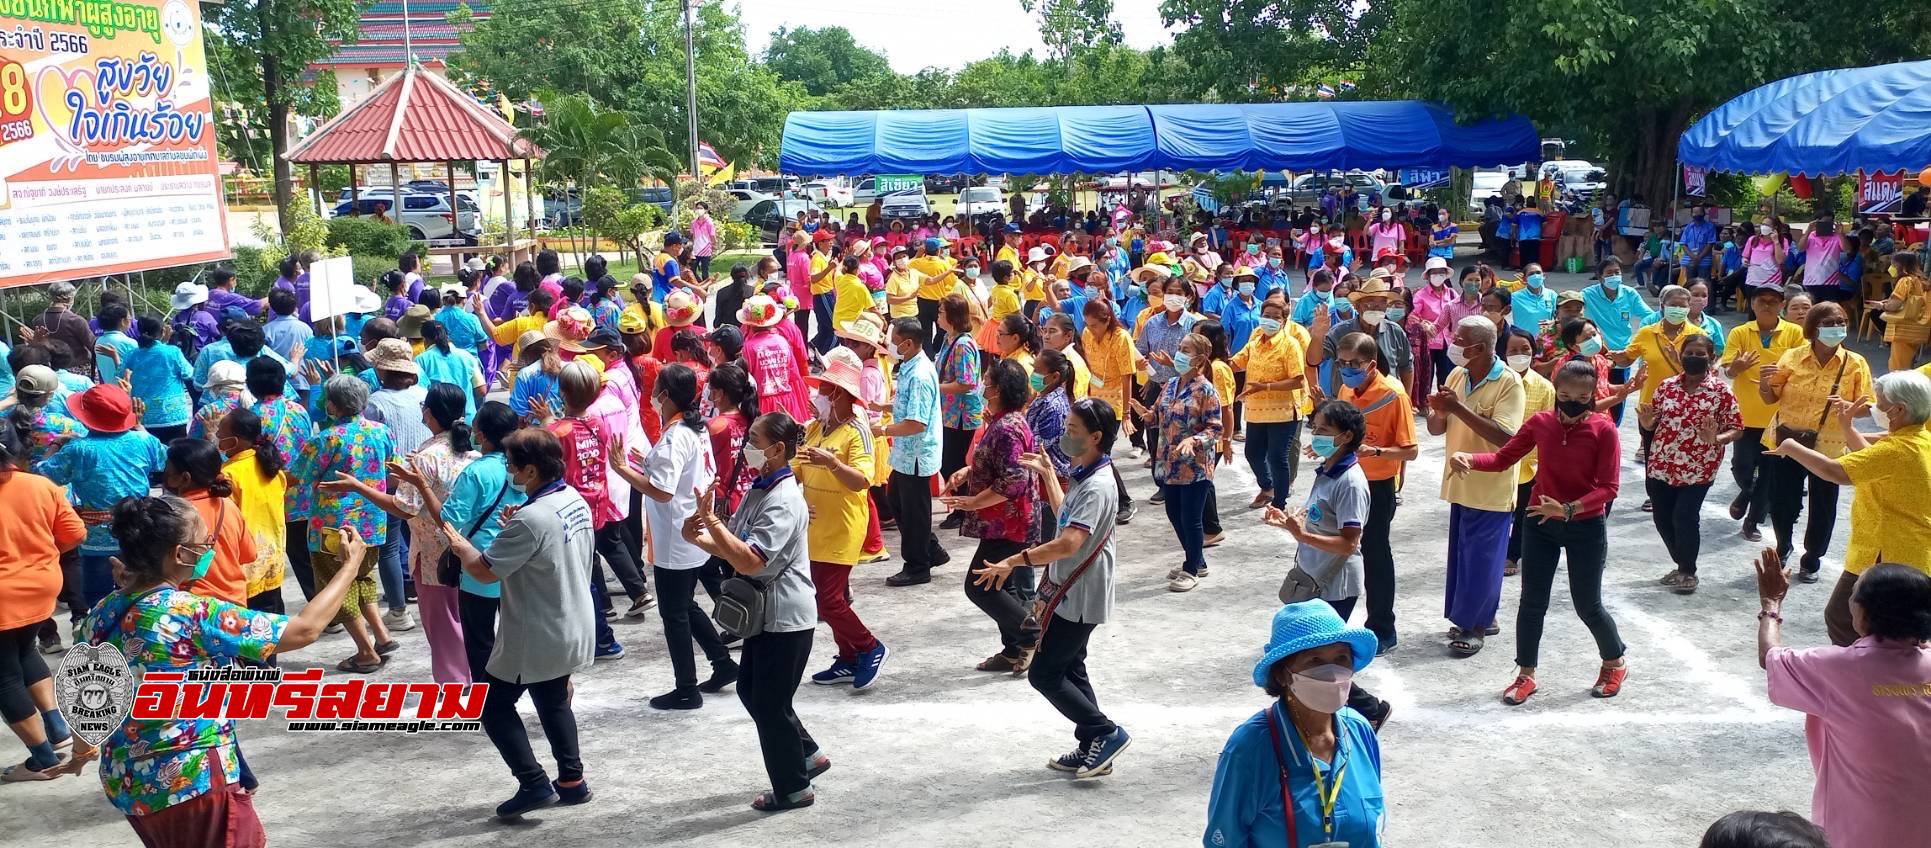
(773, 521)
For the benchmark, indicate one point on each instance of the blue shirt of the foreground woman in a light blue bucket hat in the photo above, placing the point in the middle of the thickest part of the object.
(1246, 810)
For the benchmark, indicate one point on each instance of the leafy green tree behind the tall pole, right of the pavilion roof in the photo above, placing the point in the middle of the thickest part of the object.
(630, 55)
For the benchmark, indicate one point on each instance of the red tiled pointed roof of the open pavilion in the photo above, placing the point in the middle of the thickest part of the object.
(414, 117)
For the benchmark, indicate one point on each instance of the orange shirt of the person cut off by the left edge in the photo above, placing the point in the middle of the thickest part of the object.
(40, 526)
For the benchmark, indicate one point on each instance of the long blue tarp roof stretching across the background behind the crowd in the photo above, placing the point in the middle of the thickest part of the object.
(1104, 140)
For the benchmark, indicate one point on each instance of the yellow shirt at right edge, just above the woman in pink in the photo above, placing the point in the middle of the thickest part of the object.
(1888, 517)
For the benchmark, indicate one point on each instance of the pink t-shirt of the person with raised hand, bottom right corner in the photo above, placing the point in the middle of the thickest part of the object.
(1868, 716)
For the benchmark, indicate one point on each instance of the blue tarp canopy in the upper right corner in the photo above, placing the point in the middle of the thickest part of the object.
(1820, 125)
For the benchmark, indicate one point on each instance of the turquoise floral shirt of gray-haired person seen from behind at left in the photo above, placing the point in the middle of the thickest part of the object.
(358, 449)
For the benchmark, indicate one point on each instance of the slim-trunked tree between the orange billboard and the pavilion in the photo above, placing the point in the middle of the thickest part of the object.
(279, 42)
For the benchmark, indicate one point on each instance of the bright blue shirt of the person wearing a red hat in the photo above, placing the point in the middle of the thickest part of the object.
(101, 470)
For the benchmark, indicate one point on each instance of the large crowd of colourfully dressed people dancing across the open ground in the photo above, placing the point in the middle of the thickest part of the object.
(474, 461)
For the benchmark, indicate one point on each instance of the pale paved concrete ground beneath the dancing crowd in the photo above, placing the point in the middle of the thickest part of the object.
(943, 756)
